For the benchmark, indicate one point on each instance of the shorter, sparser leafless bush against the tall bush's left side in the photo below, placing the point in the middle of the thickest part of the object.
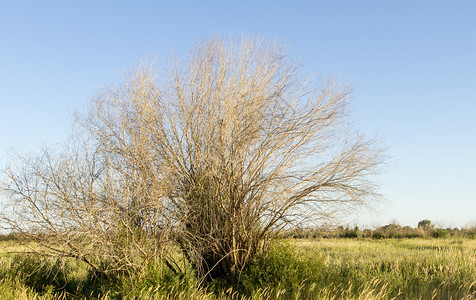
(74, 204)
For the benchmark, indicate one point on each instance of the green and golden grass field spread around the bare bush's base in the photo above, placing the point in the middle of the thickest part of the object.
(293, 269)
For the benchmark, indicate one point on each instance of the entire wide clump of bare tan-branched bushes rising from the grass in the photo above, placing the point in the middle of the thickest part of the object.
(227, 149)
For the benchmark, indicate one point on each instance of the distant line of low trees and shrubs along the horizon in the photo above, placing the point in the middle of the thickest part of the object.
(425, 229)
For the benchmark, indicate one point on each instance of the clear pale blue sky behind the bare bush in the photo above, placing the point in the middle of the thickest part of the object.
(412, 63)
